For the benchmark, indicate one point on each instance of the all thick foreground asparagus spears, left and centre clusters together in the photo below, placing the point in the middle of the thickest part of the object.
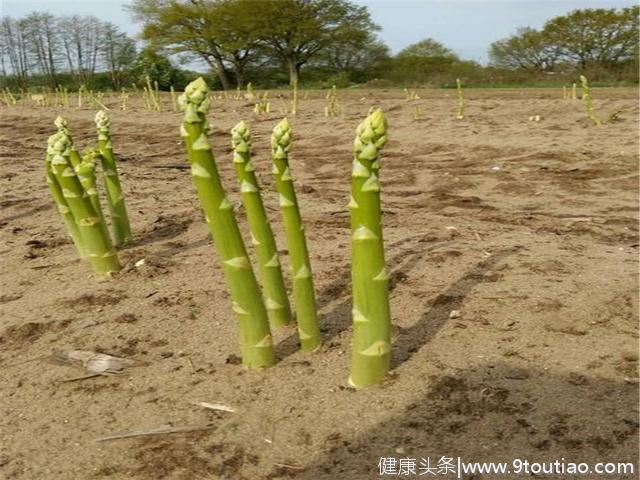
(258, 310)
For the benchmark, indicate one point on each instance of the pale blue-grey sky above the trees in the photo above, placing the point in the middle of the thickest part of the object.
(466, 26)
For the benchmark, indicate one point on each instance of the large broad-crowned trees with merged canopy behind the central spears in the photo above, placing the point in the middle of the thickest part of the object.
(232, 34)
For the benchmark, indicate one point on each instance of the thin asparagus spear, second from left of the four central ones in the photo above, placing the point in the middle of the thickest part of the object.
(275, 292)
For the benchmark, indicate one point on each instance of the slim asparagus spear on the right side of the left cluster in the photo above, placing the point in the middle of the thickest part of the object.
(115, 199)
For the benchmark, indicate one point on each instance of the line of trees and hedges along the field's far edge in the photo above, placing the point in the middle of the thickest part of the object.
(272, 43)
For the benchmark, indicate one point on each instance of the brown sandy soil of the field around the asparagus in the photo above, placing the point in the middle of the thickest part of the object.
(527, 229)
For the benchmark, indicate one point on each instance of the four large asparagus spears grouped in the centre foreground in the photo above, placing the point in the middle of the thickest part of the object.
(258, 310)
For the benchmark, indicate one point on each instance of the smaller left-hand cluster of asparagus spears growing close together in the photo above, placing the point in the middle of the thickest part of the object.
(72, 181)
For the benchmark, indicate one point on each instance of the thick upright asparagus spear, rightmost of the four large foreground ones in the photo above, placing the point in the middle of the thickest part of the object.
(371, 352)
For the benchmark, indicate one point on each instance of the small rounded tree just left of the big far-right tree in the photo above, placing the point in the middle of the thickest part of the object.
(529, 49)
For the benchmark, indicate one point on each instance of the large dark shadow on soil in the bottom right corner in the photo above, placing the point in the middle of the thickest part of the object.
(488, 413)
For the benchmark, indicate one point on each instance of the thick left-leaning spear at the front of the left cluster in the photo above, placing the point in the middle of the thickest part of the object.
(95, 244)
